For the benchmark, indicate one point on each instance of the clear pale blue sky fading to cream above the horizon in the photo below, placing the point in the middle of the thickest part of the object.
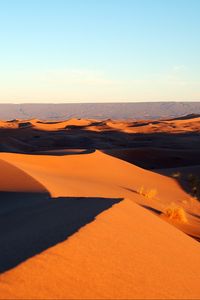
(99, 50)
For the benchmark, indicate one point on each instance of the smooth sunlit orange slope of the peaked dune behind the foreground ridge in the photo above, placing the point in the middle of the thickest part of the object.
(94, 174)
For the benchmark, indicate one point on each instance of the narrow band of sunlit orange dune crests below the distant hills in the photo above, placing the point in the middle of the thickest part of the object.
(127, 126)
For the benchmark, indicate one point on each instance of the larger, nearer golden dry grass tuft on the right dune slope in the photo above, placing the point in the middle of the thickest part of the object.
(176, 213)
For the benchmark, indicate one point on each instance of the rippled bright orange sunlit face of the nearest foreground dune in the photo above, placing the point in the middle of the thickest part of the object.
(126, 253)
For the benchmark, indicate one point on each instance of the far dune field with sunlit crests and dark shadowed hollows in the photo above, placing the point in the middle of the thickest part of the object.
(149, 144)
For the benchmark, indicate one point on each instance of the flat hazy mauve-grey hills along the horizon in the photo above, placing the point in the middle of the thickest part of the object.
(144, 110)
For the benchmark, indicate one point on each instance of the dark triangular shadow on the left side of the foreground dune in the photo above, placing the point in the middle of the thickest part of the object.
(31, 223)
